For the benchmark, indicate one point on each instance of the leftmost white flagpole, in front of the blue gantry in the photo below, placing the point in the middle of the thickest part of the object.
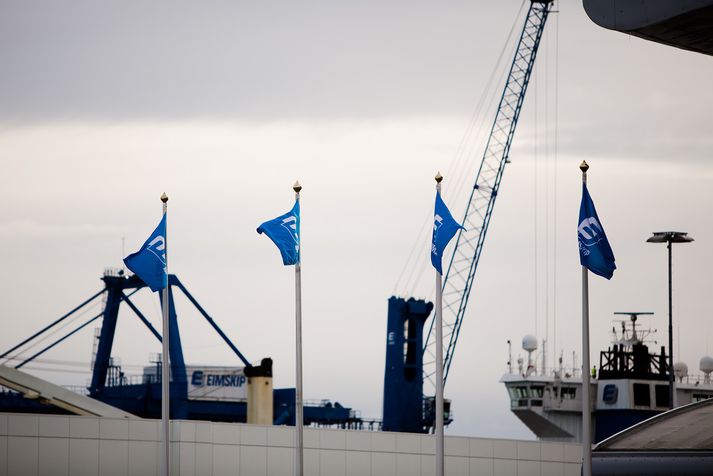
(165, 367)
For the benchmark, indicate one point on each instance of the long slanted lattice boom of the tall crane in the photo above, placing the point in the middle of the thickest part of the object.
(458, 281)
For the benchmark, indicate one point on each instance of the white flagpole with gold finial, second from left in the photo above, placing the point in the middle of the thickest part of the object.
(299, 419)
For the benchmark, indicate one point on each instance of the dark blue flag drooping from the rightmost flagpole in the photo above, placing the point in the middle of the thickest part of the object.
(594, 250)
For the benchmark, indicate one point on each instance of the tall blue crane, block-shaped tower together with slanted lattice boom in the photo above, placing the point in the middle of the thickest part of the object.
(403, 395)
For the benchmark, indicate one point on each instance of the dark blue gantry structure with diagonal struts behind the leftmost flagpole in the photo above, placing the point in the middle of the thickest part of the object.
(142, 396)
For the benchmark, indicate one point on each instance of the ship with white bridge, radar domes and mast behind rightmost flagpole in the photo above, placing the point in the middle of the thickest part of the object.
(630, 386)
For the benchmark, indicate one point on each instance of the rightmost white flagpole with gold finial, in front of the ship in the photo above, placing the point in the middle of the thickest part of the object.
(586, 399)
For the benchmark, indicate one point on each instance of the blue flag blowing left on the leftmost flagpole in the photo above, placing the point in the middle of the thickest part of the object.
(149, 263)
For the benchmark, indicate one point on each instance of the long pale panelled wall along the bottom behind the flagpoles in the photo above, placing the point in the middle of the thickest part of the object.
(73, 445)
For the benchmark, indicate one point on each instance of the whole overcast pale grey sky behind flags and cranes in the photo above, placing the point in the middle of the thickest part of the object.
(224, 104)
